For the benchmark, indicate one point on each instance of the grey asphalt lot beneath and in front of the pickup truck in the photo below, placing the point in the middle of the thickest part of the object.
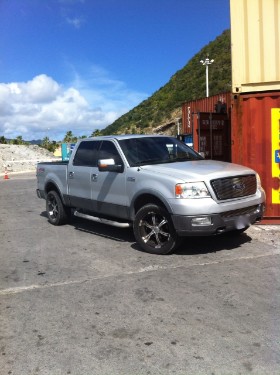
(83, 299)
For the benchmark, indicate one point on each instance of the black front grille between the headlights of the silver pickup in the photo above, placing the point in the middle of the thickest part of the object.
(234, 187)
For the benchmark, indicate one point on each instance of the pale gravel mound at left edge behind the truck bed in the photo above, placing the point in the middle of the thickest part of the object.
(20, 158)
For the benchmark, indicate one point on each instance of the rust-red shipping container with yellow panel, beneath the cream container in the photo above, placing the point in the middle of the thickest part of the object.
(255, 138)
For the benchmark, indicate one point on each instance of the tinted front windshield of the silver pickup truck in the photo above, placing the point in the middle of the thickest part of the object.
(156, 150)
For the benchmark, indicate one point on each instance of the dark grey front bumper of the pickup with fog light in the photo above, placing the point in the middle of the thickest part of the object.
(219, 223)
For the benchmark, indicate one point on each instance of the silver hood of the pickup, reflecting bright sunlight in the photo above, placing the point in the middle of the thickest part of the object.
(199, 169)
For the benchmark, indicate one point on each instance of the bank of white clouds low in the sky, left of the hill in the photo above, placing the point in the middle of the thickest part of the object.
(43, 107)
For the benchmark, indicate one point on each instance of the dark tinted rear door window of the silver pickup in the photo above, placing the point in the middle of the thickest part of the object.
(86, 155)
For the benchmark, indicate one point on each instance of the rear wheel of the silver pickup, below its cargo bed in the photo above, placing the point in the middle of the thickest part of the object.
(57, 213)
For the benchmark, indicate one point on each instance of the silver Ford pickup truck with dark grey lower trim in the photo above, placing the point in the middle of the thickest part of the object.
(156, 184)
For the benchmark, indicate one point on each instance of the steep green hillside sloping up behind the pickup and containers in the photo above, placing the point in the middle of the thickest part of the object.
(185, 85)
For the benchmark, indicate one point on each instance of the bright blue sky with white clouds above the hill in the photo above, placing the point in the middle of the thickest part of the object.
(80, 64)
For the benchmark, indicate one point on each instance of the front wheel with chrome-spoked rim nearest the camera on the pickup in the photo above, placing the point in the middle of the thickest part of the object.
(154, 231)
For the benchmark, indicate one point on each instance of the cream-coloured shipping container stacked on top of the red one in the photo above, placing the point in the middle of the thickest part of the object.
(255, 47)
